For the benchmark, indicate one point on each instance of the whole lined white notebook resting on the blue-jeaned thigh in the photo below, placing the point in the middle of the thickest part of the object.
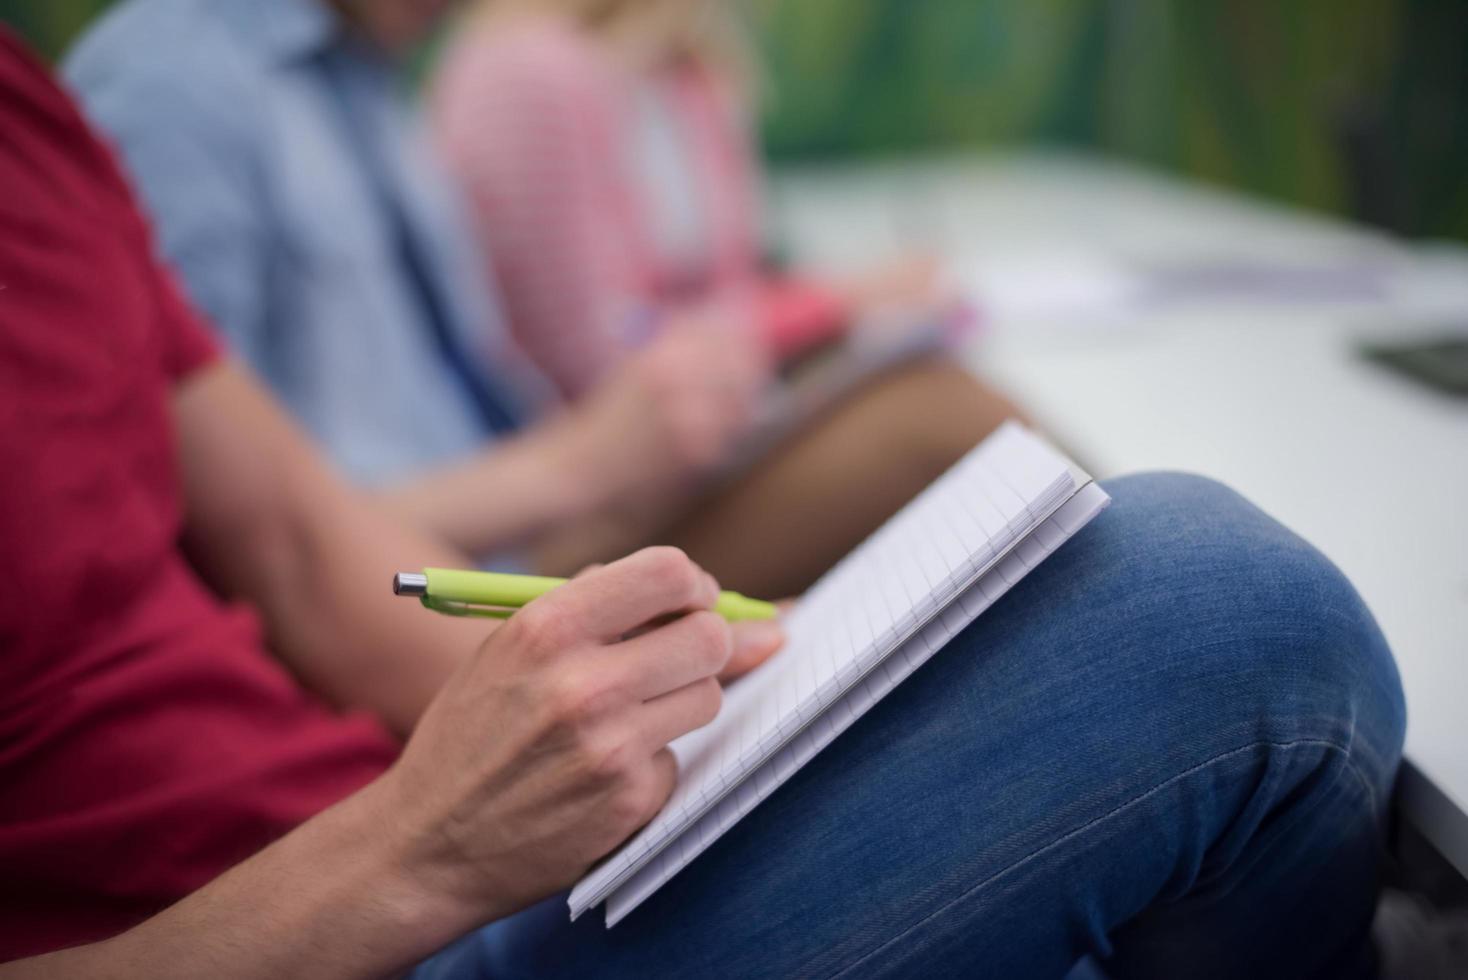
(868, 624)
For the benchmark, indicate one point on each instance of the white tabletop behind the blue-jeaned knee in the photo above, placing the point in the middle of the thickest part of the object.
(1263, 392)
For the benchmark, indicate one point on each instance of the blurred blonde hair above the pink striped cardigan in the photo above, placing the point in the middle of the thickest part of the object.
(654, 34)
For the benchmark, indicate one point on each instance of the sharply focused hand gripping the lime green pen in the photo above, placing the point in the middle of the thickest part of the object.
(550, 746)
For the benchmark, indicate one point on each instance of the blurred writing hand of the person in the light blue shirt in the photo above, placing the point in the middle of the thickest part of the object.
(673, 412)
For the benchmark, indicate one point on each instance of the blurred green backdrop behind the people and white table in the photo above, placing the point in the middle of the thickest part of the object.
(1350, 106)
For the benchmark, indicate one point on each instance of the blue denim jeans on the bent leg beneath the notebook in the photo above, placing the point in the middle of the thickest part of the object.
(1171, 747)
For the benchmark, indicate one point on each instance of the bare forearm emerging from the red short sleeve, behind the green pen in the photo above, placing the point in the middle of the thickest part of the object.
(266, 522)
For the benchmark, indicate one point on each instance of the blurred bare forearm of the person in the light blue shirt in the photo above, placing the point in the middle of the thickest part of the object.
(510, 494)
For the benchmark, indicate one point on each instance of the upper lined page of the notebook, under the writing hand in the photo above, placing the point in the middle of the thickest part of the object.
(849, 621)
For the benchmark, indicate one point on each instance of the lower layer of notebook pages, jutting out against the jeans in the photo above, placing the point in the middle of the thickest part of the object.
(1072, 516)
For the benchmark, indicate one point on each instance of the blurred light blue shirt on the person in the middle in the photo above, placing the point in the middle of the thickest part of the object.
(230, 118)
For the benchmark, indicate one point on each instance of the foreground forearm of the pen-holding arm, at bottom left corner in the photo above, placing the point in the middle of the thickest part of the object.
(334, 899)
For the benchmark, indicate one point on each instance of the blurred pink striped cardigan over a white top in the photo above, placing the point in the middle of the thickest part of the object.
(610, 200)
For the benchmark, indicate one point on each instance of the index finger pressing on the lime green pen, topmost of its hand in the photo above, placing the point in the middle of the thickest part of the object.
(613, 601)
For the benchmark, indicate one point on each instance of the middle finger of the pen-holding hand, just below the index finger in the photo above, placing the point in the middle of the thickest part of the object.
(672, 657)
